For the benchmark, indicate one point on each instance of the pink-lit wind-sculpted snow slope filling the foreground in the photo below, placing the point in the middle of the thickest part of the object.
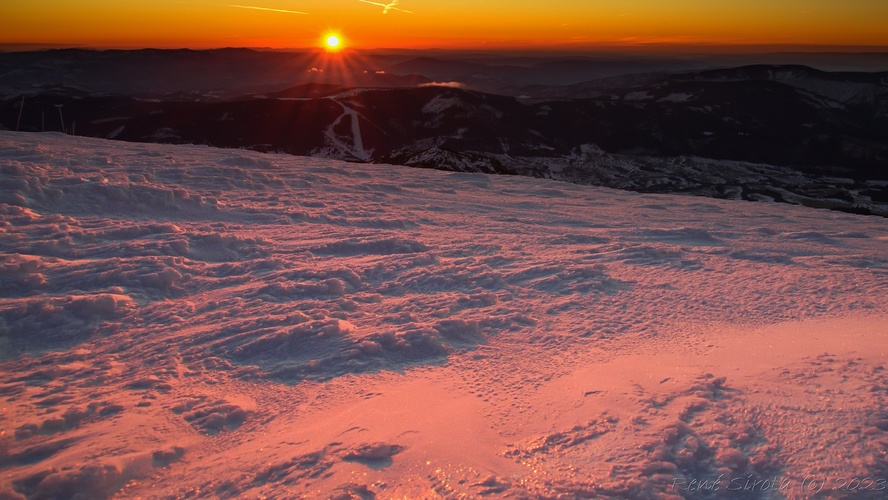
(193, 322)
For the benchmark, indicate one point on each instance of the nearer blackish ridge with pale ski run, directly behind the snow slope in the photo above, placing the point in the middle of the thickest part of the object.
(804, 122)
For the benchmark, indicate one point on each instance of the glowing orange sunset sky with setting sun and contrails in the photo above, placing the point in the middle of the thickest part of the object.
(445, 24)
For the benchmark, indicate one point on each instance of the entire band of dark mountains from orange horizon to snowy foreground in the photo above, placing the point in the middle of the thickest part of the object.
(783, 132)
